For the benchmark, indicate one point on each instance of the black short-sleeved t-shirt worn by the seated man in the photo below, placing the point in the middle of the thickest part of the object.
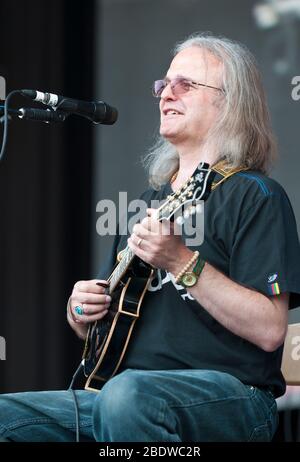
(250, 235)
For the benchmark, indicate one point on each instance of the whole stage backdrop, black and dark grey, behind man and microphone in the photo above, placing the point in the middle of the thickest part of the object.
(52, 177)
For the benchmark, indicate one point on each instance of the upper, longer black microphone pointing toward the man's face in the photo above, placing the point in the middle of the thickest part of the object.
(97, 111)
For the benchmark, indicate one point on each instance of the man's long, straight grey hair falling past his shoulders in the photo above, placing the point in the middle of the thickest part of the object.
(242, 134)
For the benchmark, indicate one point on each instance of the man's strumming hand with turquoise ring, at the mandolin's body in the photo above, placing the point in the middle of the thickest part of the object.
(94, 303)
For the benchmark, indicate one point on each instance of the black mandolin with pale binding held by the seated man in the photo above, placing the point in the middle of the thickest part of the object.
(107, 339)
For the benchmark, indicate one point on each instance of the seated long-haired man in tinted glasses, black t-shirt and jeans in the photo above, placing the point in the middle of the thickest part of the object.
(203, 362)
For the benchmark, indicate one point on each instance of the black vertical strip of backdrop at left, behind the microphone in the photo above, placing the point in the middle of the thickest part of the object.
(45, 193)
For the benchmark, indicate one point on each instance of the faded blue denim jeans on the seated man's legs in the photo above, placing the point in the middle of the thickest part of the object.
(147, 406)
